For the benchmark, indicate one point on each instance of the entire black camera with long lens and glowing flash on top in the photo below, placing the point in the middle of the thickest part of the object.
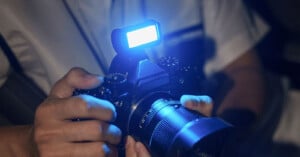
(146, 96)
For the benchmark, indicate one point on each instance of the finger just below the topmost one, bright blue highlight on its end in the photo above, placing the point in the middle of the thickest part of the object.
(82, 106)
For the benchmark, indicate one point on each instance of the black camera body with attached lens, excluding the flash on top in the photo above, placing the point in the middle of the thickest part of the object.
(148, 111)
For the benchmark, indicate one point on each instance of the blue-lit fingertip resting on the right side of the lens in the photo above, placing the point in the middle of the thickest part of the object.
(202, 104)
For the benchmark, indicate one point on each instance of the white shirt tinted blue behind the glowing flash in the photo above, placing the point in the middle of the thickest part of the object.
(47, 42)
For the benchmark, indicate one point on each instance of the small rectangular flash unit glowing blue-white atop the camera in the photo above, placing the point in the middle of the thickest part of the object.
(136, 37)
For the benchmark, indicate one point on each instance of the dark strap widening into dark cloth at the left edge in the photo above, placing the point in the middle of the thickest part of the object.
(19, 95)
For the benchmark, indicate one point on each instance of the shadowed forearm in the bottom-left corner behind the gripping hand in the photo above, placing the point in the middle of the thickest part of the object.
(16, 141)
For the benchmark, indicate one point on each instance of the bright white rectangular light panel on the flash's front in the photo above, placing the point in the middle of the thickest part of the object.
(142, 36)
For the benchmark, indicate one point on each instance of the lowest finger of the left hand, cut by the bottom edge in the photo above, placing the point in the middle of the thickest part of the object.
(90, 149)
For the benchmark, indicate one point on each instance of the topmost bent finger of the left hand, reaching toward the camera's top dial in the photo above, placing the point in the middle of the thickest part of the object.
(75, 78)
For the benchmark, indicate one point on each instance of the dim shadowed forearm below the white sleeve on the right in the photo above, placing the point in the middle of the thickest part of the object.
(249, 90)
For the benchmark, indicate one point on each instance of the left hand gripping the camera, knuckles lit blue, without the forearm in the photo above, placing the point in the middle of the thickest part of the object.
(56, 134)
